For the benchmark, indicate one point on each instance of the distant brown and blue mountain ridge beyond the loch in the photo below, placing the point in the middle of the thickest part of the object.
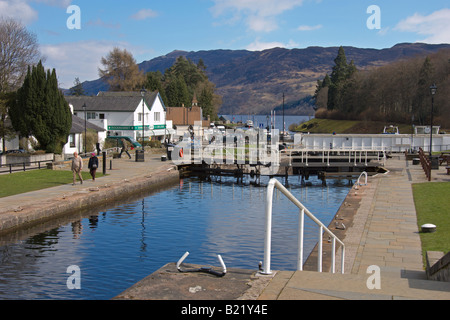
(253, 82)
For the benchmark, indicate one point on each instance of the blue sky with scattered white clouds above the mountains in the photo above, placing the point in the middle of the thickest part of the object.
(75, 34)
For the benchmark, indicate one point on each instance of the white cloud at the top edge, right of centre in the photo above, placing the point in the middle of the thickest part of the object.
(259, 15)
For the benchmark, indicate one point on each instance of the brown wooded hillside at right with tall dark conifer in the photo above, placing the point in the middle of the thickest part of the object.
(398, 92)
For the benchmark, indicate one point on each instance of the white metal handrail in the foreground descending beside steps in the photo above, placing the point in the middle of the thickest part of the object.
(274, 183)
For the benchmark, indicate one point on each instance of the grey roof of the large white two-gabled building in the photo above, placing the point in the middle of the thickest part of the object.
(112, 101)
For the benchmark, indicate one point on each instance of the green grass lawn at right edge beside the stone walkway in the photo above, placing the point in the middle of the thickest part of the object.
(432, 201)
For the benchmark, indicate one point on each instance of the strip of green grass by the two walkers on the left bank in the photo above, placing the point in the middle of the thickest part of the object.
(21, 182)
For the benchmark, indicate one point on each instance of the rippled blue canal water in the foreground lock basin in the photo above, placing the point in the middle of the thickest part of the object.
(115, 248)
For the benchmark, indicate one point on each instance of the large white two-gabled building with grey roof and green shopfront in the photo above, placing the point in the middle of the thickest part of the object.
(125, 113)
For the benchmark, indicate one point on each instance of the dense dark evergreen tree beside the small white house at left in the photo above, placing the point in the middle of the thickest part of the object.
(40, 110)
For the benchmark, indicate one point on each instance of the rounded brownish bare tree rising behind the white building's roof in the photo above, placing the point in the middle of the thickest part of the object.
(121, 71)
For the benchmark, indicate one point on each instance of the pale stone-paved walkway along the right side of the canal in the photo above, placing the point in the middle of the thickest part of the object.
(384, 234)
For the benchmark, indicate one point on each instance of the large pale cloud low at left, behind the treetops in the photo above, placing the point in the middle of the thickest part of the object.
(79, 59)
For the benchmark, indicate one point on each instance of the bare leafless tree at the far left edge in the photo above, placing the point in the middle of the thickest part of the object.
(18, 49)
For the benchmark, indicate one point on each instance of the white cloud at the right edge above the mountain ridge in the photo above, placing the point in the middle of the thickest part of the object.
(435, 27)
